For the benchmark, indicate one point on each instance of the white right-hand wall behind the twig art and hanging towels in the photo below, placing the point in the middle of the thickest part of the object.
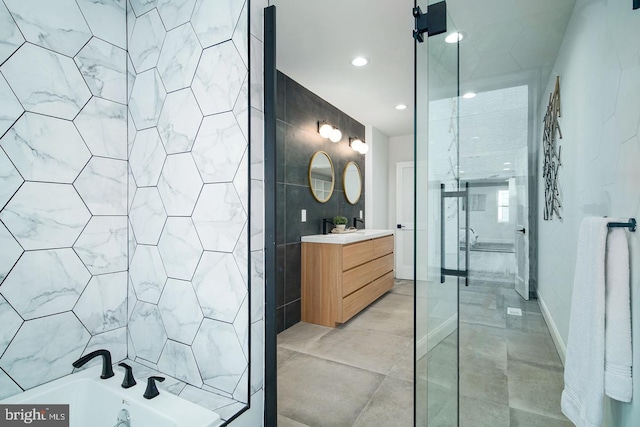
(599, 68)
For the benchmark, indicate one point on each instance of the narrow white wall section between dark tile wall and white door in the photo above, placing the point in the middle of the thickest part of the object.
(376, 179)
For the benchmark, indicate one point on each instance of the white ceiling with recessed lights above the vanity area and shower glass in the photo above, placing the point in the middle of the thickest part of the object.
(508, 42)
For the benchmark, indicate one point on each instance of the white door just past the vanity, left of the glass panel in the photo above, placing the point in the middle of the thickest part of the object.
(404, 220)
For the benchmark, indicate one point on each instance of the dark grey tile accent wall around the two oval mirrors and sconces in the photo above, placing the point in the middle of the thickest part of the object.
(298, 113)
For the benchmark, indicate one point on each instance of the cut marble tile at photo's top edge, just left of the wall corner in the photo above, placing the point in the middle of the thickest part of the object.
(106, 19)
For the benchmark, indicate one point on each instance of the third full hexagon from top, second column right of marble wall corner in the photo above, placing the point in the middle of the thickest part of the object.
(179, 184)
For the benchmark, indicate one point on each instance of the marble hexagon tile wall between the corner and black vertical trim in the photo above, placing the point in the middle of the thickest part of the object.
(189, 196)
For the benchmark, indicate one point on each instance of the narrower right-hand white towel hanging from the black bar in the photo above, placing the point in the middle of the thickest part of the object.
(618, 358)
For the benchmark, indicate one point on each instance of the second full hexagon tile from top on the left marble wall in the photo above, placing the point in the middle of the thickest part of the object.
(45, 148)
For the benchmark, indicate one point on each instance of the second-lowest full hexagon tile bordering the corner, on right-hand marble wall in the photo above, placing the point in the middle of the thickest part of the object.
(147, 273)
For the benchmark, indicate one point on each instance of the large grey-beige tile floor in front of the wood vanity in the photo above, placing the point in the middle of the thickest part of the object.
(361, 373)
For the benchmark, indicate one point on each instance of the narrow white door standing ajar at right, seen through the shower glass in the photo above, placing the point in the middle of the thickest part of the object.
(518, 204)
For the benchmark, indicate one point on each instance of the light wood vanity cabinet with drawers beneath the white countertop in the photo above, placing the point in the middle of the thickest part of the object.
(338, 281)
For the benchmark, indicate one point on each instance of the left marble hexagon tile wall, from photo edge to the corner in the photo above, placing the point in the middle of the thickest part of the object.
(63, 173)
